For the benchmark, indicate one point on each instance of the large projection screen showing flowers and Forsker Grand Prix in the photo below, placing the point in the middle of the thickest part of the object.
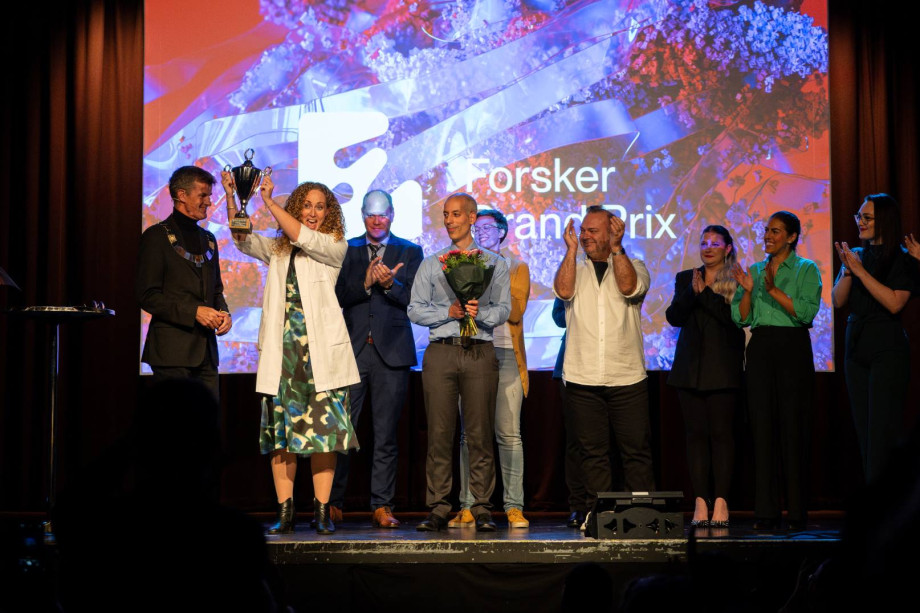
(672, 114)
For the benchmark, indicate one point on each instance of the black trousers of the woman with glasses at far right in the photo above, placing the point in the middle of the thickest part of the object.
(878, 373)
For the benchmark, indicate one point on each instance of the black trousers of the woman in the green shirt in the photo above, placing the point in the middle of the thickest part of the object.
(780, 390)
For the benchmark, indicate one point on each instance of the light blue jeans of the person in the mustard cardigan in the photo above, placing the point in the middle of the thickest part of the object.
(507, 434)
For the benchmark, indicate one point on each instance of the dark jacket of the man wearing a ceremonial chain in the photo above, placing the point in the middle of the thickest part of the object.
(169, 287)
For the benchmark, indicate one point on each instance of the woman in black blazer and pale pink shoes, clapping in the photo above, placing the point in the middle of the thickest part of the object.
(707, 371)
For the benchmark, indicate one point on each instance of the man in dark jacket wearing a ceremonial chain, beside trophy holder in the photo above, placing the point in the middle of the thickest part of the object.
(178, 283)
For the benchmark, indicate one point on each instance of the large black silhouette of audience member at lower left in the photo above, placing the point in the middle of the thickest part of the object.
(144, 530)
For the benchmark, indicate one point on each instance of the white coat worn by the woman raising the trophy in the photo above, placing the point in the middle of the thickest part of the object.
(317, 268)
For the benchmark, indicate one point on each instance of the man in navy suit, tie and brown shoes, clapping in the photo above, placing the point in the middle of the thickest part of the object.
(373, 288)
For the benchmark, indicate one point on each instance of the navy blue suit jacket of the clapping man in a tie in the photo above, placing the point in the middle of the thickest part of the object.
(381, 313)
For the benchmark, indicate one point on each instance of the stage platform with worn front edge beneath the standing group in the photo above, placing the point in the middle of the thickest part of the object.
(361, 568)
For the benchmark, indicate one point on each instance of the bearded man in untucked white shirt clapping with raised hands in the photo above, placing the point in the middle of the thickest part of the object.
(604, 367)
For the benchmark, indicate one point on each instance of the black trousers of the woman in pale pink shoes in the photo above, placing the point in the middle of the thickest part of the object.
(708, 418)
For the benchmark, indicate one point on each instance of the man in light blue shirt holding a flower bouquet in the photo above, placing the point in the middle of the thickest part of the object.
(460, 294)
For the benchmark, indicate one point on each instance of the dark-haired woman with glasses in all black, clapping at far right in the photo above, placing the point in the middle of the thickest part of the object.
(876, 281)
